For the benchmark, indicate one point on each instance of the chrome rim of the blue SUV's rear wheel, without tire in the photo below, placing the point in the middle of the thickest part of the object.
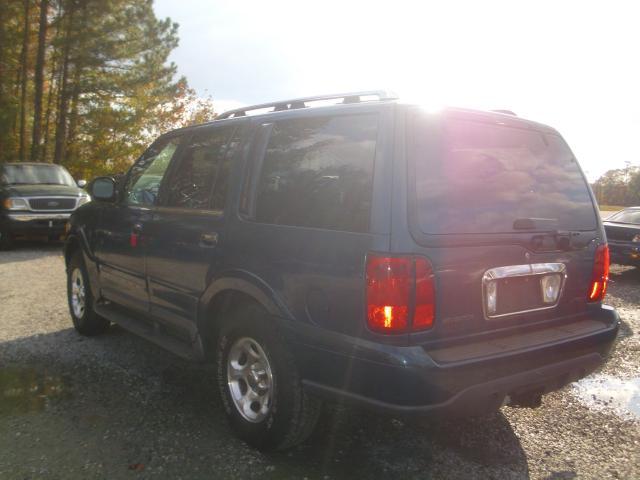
(250, 379)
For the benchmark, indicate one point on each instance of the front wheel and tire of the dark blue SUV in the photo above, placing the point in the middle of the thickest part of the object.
(85, 320)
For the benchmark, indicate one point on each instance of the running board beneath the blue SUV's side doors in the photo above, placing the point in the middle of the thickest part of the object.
(146, 329)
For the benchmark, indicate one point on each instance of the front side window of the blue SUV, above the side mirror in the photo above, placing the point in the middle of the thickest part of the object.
(146, 175)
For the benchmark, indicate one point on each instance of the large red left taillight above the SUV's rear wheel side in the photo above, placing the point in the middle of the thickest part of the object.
(400, 293)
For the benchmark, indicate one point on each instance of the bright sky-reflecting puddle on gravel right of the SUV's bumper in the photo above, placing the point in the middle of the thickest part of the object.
(604, 392)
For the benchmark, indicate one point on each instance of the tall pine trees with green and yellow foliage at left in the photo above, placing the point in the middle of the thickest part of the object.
(108, 90)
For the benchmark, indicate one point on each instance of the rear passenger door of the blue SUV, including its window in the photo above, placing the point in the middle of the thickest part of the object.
(185, 237)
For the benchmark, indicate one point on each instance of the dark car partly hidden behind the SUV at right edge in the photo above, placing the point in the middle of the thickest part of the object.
(623, 235)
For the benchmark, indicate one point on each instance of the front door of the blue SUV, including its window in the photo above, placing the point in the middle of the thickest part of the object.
(120, 237)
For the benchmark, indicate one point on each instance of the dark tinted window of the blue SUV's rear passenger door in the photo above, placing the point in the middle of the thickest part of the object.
(192, 184)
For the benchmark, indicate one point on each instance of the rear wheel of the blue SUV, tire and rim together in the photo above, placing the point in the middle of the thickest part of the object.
(280, 413)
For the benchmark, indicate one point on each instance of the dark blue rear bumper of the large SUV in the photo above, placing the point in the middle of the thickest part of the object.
(415, 380)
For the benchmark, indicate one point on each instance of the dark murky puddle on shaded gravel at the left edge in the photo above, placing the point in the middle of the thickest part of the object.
(27, 390)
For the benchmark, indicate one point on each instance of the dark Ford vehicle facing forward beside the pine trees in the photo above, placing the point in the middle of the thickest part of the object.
(36, 199)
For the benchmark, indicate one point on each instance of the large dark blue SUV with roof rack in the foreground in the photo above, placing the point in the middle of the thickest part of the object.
(368, 252)
